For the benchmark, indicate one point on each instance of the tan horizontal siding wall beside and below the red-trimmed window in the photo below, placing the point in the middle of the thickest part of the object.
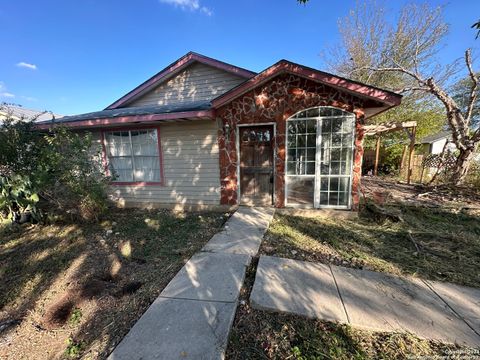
(190, 165)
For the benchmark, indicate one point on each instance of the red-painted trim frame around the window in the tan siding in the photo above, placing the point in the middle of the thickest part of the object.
(106, 162)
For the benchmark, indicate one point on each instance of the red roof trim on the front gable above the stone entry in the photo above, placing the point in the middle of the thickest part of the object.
(384, 96)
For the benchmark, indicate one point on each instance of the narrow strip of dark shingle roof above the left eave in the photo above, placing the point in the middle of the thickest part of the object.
(134, 111)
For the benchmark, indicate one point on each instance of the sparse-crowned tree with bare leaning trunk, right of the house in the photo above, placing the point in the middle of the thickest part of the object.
(402, 55)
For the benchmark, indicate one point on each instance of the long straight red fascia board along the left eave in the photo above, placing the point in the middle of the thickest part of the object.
(131, 119)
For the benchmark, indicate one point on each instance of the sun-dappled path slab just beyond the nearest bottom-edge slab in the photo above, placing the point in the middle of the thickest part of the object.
(209, 276)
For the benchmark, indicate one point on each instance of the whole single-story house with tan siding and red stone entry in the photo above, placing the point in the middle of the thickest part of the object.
(204, 133)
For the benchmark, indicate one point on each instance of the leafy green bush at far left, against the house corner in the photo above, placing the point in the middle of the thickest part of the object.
(48, 174)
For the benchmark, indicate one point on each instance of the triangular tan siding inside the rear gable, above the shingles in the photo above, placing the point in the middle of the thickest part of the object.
(198, 82)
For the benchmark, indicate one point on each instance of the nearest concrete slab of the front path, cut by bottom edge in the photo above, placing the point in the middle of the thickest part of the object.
(178, 329)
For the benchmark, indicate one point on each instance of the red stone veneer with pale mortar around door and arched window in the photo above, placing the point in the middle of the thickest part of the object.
(276, 101)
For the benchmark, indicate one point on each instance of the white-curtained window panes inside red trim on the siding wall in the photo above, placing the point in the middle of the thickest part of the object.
(133, 155)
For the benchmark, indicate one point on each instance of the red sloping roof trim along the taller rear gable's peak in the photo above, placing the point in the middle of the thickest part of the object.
(175, 68)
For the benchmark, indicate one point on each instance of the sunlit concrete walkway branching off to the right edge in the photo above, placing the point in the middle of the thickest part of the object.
(369, 300)
